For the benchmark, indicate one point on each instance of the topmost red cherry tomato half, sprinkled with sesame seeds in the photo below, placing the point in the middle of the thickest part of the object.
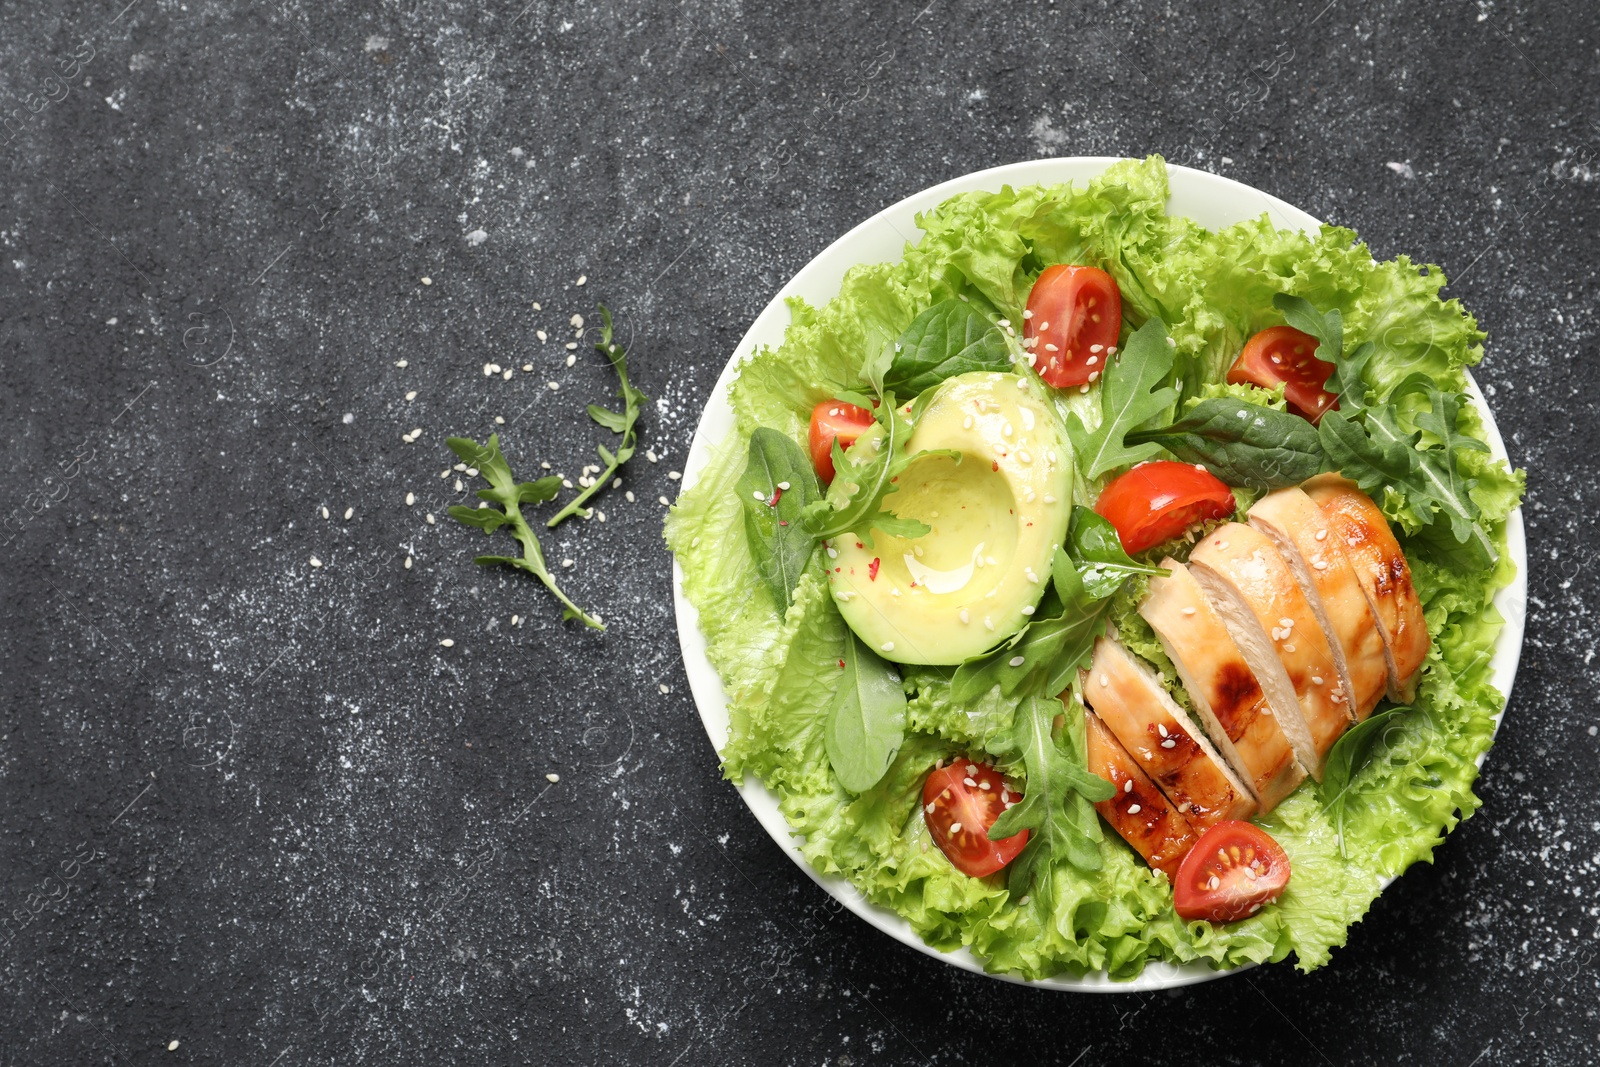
(1074, 321)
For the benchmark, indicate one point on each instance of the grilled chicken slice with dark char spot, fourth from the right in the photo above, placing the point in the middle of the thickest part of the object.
(1225, 690)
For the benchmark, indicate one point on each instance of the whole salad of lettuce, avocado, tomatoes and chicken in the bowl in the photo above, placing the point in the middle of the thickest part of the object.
(1094, 588)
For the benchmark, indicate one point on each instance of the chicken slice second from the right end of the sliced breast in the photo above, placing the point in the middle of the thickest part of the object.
(1303, 537)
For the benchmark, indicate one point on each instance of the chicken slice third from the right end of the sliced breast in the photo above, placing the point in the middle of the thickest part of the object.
(1268, 617)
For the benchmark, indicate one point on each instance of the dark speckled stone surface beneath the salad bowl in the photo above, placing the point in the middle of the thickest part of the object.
(257, 809)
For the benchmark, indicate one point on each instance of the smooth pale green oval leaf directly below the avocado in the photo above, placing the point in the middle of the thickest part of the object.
(866, 721)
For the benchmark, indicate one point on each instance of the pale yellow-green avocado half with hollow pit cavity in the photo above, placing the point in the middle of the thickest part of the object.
(996, 521)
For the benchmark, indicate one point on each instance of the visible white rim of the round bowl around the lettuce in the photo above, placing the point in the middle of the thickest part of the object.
(1207, 199)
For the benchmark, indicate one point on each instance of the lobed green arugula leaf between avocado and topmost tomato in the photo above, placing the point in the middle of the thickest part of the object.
(1130, 396)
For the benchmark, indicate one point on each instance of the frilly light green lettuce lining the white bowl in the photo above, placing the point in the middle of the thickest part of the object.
(1214, 290)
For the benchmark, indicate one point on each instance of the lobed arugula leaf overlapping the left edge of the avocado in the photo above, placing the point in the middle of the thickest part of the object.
(863, 478)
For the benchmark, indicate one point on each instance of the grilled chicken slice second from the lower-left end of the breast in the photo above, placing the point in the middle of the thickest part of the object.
(1162, 738)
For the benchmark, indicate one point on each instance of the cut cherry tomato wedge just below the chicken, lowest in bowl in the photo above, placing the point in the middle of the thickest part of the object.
(1231, 873)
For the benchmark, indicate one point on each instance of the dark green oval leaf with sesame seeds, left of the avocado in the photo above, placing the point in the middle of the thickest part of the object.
(775, 489)
